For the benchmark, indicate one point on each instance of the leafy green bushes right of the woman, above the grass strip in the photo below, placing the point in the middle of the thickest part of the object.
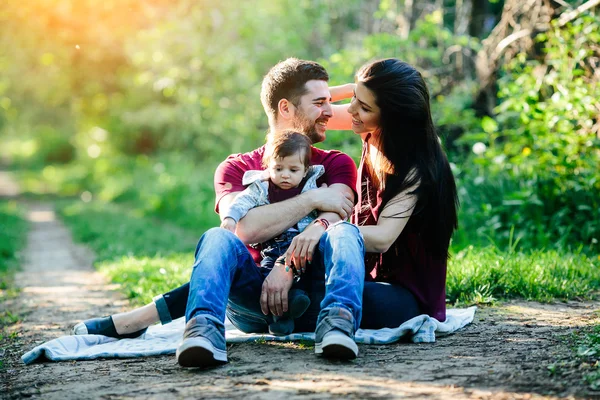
(539, 172)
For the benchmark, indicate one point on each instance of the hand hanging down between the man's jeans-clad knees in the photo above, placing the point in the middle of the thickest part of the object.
(274, 296)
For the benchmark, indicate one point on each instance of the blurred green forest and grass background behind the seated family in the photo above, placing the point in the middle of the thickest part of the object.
(119, 112)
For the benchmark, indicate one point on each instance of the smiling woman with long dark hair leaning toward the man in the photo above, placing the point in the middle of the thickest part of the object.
(406, 209)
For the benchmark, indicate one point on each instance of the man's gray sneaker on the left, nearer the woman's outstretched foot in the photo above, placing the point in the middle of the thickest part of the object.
(203, 344)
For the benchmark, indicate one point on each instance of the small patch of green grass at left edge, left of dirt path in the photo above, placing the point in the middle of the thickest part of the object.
(13, 229)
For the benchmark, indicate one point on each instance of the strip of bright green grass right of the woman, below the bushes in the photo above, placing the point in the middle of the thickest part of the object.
(482, 275)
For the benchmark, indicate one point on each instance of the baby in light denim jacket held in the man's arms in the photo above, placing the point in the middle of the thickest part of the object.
(288, 173)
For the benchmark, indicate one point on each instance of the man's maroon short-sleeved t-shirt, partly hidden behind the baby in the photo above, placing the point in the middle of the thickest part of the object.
(339, 168)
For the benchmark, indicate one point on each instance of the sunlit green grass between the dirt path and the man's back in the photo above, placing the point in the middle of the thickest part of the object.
(146, 256)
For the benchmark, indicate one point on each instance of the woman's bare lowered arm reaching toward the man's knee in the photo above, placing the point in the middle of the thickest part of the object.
(392, 220)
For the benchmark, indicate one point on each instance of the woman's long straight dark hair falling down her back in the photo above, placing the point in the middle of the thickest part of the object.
(412, 153)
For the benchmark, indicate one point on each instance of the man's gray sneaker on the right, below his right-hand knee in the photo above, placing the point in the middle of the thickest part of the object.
(334, 337)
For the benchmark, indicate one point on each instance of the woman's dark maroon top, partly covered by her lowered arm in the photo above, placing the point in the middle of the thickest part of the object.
(407, 262)
